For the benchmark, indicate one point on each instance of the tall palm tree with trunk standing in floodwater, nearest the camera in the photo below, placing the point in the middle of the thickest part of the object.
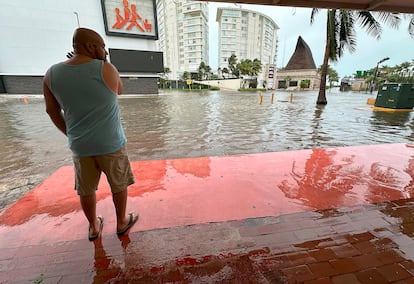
(340, 34)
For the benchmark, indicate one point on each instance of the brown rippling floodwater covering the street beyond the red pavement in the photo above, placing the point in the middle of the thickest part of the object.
(178, 124)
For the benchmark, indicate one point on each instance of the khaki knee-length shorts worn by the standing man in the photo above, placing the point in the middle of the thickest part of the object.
(116, 167)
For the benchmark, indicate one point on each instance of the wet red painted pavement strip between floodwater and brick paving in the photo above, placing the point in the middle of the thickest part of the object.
(171, 193)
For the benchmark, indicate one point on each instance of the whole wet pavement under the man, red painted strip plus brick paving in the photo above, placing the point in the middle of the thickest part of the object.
(342, 215)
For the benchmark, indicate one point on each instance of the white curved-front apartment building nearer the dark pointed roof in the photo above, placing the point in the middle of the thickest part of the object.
(246, 34)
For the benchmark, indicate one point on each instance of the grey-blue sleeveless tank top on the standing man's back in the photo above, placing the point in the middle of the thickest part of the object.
(91, 111)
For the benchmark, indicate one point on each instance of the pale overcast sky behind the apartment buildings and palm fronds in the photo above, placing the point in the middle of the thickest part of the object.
(295, 22)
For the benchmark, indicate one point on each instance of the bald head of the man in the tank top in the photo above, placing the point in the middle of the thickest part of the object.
(90, 43)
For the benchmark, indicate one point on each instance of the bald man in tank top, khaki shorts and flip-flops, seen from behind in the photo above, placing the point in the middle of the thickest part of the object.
(81, 100)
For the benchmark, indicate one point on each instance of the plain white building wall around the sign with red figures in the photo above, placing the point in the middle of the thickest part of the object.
(37, 34)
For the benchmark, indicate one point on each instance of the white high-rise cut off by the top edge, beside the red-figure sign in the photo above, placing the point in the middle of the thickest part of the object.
(183, 35)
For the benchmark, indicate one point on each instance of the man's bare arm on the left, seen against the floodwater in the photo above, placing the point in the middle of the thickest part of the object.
(53, 108)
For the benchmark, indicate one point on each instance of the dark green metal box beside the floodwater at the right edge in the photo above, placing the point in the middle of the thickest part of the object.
(396, 96)
